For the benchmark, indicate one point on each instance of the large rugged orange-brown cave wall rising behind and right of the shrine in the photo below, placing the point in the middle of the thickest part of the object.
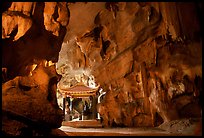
(143, 55)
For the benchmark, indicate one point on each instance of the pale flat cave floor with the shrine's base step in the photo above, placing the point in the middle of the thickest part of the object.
(93, 128)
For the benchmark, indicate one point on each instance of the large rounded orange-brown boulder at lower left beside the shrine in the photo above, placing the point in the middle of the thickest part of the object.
(32, 98)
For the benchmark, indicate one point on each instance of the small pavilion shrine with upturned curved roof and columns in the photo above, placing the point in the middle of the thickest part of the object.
(81, 102)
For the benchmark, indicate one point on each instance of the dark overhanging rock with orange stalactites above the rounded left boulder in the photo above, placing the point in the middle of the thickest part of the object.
(32, 32)
